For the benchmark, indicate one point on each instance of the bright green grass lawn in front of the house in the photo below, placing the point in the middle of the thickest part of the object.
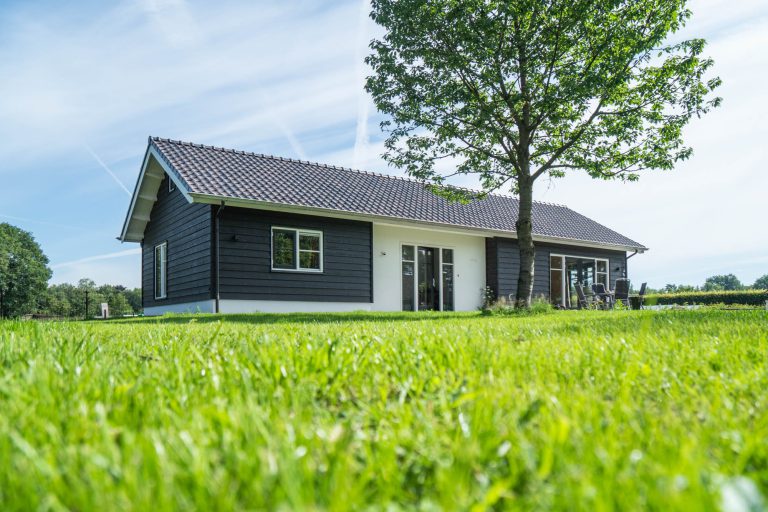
(566, 411)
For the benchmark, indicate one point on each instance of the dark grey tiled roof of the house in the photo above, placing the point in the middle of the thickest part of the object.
(232, 174)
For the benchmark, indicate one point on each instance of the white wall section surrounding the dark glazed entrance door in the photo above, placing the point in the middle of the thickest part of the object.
(469, 265)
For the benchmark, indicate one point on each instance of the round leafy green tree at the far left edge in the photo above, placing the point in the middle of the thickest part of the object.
(24, 272)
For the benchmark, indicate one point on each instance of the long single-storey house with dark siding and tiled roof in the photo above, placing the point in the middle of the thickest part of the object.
(231, 231)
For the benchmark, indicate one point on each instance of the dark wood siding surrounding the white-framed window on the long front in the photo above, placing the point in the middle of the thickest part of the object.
(246, 274)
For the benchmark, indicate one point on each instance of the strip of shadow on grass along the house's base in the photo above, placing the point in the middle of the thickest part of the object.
(293, 318)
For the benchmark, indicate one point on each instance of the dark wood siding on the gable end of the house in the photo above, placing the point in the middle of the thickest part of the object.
(187, 229)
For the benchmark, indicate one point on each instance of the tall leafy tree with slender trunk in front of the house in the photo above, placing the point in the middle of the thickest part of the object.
(513, 91)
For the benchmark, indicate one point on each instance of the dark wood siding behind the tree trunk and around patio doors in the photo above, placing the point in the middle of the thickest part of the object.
(507, 257)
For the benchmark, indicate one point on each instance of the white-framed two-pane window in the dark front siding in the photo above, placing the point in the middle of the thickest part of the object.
(297, 249)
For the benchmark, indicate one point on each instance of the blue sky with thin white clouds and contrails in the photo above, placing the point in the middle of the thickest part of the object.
(83, 84)
